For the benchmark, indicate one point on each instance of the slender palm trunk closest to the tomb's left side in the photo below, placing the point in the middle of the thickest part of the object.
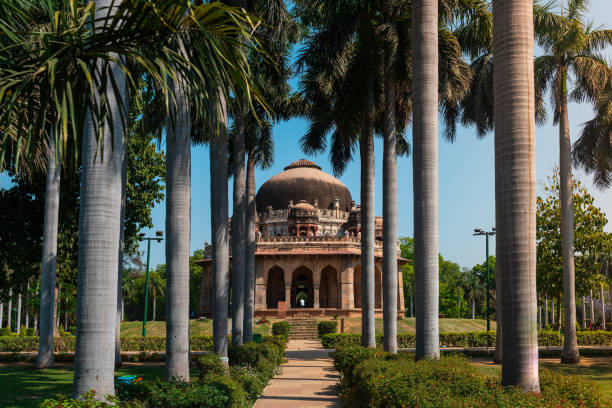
(249, 264)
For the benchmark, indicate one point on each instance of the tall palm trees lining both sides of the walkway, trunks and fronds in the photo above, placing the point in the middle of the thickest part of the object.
(369, 67)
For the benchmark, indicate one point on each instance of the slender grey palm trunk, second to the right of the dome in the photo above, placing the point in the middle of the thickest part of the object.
(390, 217)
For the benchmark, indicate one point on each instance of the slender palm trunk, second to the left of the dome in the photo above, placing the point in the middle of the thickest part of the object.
(238, 230)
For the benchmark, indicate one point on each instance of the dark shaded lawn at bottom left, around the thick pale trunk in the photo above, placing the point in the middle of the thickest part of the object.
(23, 386)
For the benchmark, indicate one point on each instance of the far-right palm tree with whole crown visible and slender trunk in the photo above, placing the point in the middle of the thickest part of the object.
(570, 47)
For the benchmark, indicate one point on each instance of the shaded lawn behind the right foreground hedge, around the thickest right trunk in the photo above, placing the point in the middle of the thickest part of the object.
(597, 369)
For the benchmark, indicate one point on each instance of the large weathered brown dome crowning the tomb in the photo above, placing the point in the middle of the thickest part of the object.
(302, 180)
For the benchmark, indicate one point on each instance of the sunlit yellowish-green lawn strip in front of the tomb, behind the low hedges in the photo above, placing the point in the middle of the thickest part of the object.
(351, 325)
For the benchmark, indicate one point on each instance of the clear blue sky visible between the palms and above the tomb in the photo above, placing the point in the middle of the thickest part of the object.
(466, 179)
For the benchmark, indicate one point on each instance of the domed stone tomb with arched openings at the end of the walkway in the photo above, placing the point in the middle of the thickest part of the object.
(308, 248)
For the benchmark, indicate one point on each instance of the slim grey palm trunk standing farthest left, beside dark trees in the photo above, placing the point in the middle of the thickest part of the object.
(44, 358)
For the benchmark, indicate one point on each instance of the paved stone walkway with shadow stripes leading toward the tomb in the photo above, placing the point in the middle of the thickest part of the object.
(308, 379)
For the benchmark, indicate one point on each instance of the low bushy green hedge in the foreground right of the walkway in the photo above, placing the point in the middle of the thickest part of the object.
(372, 378)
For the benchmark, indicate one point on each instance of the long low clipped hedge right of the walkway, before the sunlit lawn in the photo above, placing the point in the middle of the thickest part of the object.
(470, 339)
